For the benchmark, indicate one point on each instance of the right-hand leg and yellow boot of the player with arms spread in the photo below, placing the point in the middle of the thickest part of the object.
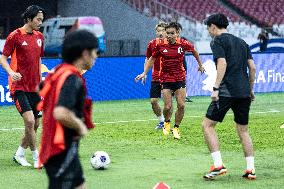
(180, 98)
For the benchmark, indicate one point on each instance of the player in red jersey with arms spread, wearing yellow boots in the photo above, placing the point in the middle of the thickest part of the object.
(172, 74)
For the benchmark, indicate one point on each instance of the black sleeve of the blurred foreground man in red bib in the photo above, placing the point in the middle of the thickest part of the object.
(69, 92)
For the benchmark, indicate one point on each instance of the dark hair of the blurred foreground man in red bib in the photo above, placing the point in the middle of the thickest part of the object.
(76, 42)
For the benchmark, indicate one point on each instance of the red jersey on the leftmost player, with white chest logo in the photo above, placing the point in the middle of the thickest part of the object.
(25, 50)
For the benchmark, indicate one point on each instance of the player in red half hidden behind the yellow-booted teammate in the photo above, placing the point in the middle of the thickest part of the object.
(155, 91)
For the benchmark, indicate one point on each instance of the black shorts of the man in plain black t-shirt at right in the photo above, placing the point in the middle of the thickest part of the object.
(240, 106)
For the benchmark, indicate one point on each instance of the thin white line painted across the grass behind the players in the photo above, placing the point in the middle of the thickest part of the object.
(145, 120)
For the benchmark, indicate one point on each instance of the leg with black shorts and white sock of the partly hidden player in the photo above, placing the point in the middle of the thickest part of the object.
(155, 94)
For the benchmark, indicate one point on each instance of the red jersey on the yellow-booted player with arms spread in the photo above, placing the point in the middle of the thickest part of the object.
(172, 55)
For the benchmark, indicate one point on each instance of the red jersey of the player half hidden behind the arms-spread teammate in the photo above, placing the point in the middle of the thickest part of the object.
(157, 64)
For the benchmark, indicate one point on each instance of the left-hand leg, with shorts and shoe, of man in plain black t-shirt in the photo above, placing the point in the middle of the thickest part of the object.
(215, 113)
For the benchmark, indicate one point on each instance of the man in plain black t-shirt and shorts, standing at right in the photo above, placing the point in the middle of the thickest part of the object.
(233, 89)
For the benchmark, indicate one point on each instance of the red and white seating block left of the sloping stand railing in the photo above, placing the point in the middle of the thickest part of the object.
(191, 15)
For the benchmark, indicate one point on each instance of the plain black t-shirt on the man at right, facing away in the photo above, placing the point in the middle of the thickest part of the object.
(236, 52)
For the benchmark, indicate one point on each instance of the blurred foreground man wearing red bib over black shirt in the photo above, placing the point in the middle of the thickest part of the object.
(65, 120)
